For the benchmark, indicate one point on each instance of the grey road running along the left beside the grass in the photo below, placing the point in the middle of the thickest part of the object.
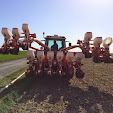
(11, 66)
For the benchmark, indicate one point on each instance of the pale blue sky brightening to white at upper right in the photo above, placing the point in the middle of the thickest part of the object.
(69, 18)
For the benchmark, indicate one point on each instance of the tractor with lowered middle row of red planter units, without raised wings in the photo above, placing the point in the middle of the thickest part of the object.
(56, 63)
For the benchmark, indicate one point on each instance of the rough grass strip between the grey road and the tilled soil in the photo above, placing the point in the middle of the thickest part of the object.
(10, 96)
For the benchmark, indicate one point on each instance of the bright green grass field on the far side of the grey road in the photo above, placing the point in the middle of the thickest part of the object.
(4, 58)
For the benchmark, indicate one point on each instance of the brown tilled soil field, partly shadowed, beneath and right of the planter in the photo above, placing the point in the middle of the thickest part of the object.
(93, 94)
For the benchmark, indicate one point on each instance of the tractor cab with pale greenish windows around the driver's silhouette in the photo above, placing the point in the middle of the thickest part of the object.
(60, 41)
